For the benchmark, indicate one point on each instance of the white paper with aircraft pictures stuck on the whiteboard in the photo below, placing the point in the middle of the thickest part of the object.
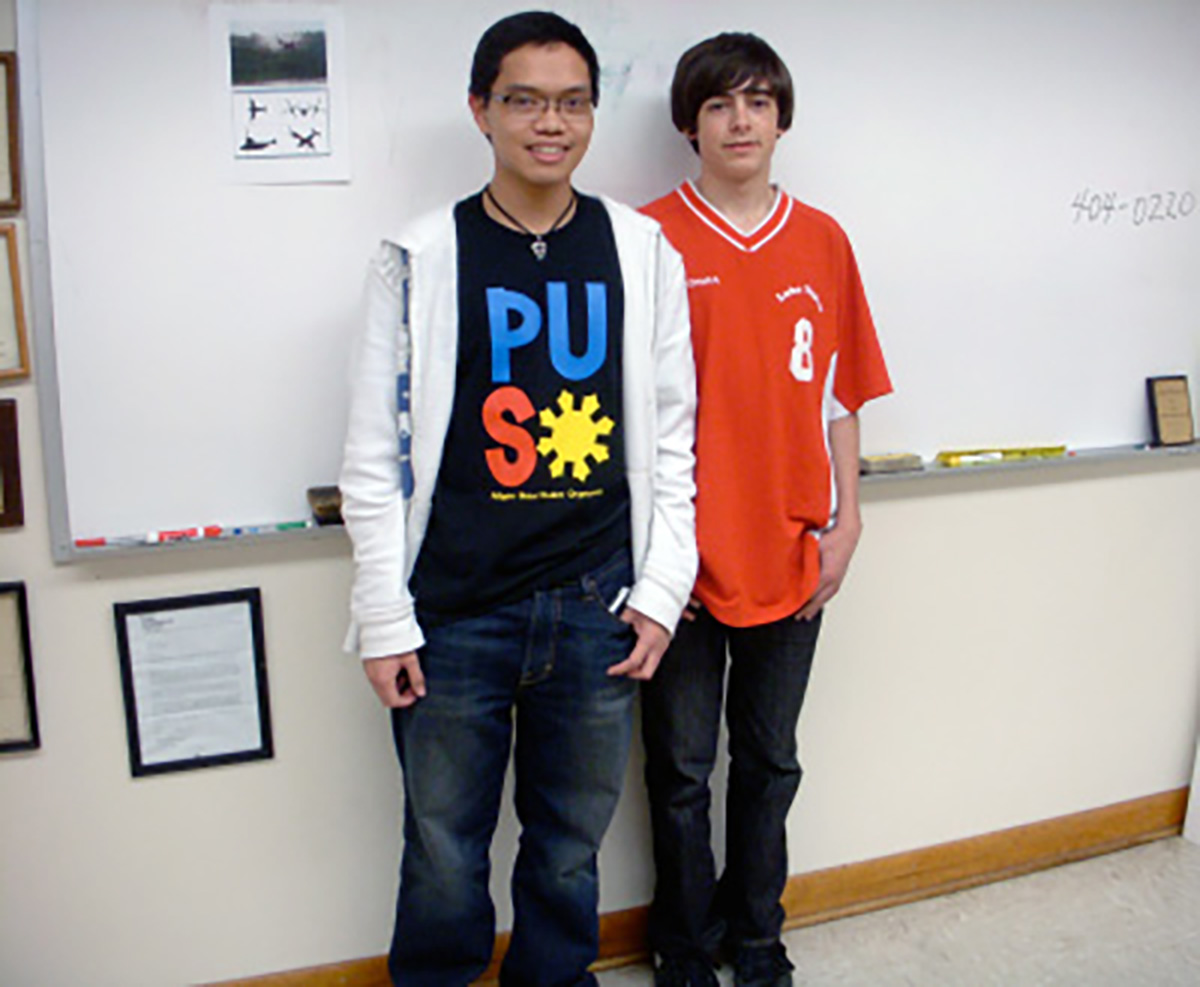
(281, 92)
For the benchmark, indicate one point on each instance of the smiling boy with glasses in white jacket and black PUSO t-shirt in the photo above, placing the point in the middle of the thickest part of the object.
(518, 483)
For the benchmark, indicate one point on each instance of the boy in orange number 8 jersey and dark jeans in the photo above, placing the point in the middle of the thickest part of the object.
(785, 356)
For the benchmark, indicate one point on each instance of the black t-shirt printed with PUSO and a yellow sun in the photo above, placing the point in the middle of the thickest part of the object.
(532, 488)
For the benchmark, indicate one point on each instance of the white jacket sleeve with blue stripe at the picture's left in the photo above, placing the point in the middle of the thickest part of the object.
(375, 464)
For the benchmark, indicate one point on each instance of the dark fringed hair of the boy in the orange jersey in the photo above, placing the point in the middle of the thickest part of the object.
(725, 63)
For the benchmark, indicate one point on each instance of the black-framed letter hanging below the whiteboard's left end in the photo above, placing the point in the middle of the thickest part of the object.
(194, 672)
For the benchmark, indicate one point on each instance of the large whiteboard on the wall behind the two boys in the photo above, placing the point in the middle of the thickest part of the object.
(1019, 182)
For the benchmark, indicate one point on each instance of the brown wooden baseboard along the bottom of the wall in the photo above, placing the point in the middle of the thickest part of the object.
(857, 888)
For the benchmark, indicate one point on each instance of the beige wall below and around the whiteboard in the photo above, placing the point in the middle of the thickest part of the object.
(1007, 650)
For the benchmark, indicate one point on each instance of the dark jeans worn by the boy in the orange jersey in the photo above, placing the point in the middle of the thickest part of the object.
(769, 674)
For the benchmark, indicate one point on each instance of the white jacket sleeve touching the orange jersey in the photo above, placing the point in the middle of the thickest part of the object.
(671, 559)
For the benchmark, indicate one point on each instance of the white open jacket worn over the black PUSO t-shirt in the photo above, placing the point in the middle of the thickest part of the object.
(403, 394)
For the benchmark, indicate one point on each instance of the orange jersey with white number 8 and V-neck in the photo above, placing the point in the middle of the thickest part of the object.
(784, 343)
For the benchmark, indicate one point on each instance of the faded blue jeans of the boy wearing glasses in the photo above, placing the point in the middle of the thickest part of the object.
(537, 666)
